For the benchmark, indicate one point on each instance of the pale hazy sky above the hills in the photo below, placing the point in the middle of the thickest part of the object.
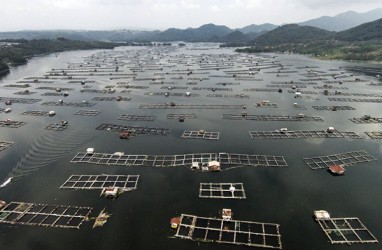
(163, 14)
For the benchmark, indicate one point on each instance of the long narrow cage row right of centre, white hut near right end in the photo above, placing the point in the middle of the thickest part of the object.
(303, 134)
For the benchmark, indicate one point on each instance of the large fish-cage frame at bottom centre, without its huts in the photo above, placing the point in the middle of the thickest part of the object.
(236, 232)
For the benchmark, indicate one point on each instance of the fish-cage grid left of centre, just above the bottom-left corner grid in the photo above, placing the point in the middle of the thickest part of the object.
(123, 182)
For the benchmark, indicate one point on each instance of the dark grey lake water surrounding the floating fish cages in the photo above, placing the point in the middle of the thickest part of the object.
(39, 160)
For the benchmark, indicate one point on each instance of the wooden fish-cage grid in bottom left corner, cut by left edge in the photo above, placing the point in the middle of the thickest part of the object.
(44, 215)
